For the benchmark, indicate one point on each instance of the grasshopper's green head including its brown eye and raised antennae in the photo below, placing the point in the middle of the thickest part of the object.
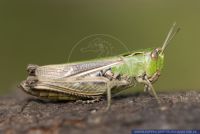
(155, 58)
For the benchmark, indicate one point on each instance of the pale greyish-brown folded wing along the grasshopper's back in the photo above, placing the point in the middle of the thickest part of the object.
(75, 69)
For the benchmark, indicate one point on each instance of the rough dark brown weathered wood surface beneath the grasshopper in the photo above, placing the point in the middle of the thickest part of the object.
(24, 114)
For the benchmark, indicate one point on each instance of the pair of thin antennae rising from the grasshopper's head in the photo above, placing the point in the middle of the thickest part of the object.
(170, 36)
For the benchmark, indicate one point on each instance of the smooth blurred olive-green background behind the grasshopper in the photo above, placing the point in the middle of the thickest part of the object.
(44, 32)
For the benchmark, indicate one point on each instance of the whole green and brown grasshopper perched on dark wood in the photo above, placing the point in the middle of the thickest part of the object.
(94, 79)
